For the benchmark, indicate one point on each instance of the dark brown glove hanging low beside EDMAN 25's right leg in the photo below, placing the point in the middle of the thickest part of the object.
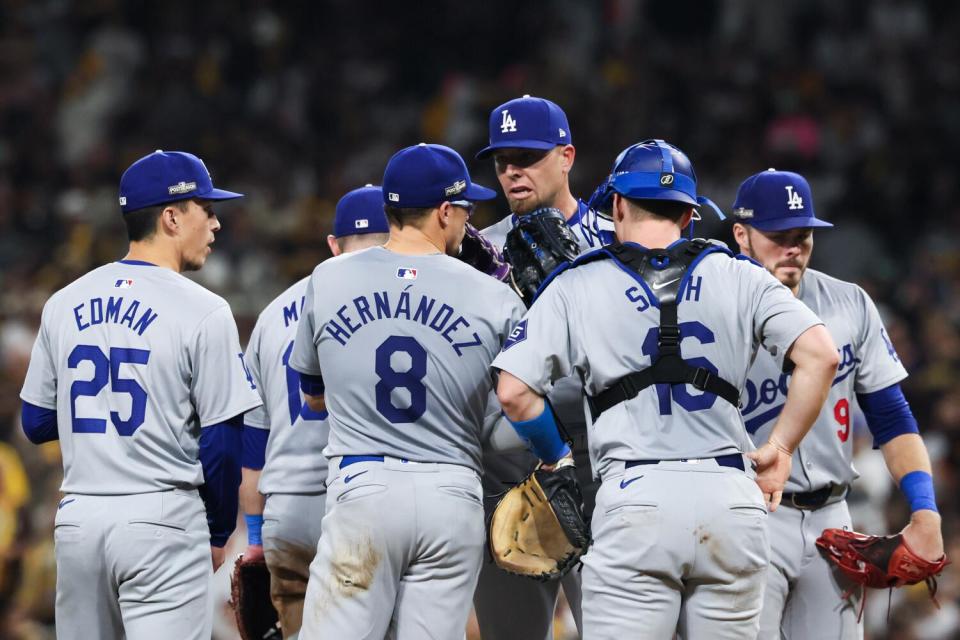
(250, 599)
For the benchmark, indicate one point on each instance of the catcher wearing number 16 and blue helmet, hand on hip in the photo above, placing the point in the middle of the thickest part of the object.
(663, 331)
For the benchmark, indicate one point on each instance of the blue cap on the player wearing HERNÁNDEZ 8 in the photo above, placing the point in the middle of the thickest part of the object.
(425, 175)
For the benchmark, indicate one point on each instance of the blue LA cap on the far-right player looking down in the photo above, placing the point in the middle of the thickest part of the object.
(776, 201)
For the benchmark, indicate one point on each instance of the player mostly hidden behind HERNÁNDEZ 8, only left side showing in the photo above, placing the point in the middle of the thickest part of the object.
(285, 438)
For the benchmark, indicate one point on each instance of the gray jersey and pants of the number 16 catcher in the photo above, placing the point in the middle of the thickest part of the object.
(696, 520)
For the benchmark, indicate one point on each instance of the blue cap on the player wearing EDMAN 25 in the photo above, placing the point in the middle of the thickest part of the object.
(167, 176)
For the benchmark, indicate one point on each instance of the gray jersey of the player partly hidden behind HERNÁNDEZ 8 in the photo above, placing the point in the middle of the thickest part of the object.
(294, 459)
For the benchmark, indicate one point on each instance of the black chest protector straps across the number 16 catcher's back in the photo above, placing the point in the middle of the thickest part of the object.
(664, 271)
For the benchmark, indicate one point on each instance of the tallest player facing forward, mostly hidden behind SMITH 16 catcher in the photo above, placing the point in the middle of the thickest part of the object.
(533, 154)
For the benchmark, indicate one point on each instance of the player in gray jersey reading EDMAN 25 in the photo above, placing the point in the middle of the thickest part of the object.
(138, 372)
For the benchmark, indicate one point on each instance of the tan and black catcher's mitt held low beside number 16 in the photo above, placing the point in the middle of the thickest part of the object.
(538, 529)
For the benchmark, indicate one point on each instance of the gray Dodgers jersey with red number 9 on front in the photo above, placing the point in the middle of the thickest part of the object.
(868, 363)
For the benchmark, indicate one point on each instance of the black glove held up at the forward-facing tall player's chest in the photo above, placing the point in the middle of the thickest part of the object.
(539, 242)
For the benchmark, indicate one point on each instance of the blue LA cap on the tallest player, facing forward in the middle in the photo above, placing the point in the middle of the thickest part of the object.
(527, 123)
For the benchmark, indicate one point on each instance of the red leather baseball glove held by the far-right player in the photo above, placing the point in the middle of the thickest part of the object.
(879, 562)
